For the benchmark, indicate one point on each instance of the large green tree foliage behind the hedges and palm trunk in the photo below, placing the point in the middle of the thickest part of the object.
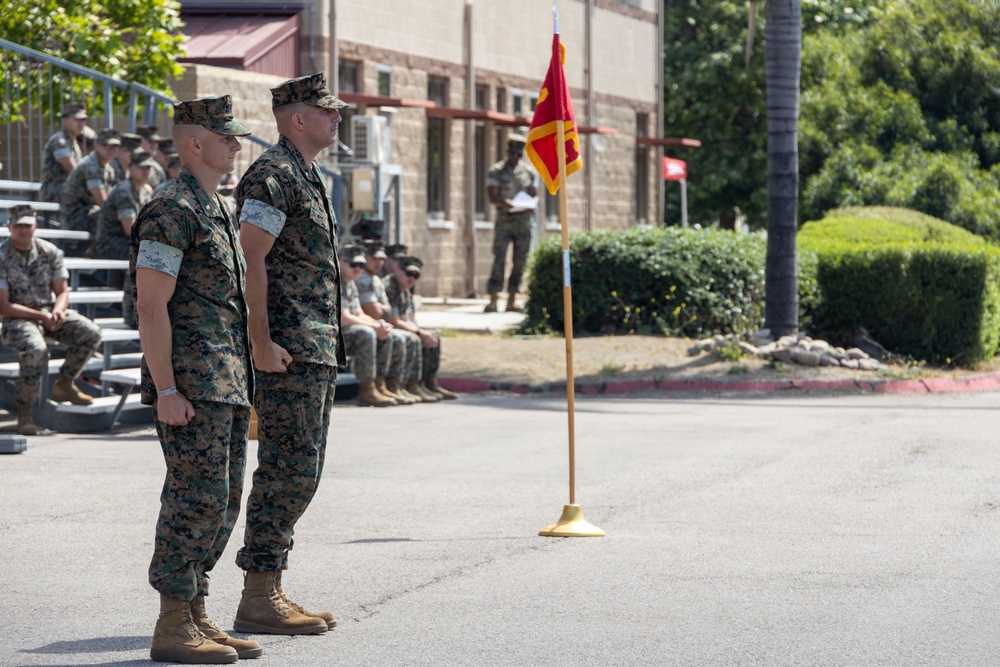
(899, 107)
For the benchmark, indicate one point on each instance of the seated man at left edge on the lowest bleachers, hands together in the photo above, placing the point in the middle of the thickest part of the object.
(34, 303)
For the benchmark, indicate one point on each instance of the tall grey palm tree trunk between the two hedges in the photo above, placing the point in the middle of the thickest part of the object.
(783, 33)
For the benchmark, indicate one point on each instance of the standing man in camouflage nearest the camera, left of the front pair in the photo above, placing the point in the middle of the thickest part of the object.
(197, 375)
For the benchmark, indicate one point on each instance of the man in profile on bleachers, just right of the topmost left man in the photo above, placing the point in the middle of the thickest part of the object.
(80, 209)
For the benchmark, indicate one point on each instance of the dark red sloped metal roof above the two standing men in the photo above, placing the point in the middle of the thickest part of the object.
(257, 42)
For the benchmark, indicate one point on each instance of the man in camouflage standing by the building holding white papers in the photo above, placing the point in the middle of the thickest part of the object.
(505, 179)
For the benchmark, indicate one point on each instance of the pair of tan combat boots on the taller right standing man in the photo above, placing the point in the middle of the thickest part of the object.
(262, 609)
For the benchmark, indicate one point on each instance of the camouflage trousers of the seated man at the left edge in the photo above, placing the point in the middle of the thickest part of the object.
(80, 336)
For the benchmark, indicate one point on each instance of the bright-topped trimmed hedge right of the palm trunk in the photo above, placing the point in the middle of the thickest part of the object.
(921, 287)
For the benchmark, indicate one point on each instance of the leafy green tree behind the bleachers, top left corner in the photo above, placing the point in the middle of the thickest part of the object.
(125, 39)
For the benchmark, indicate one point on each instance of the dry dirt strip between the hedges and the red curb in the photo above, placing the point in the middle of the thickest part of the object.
(540, 361)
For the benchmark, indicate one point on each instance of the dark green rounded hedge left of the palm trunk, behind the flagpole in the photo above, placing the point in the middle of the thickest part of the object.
(668, 281)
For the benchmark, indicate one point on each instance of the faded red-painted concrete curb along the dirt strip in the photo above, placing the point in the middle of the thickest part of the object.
(977, 383)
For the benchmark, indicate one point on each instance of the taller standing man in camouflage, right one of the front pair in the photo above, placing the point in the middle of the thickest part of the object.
(289, 235)
